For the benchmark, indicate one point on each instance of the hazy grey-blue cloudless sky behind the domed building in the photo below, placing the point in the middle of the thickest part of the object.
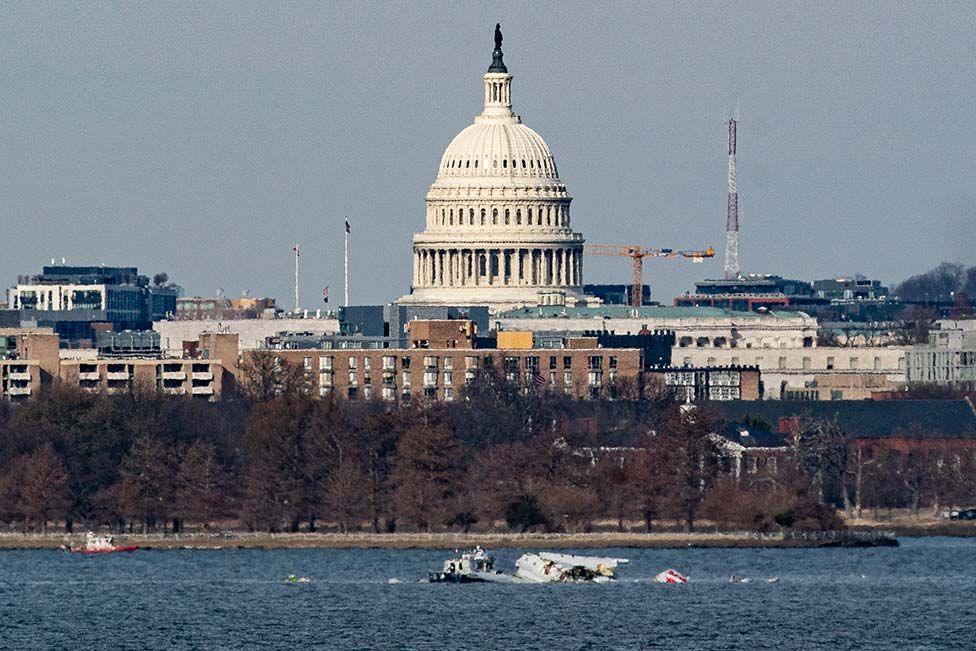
(205, 139)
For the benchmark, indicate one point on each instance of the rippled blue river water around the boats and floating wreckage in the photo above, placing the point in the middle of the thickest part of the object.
(921, 595)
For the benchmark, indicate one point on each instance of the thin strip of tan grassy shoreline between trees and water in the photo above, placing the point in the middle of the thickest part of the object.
(661, 540)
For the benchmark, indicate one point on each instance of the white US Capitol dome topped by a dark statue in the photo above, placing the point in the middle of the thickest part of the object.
(498, 228)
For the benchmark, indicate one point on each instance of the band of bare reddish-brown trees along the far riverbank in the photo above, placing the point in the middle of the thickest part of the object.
(276, 459)
